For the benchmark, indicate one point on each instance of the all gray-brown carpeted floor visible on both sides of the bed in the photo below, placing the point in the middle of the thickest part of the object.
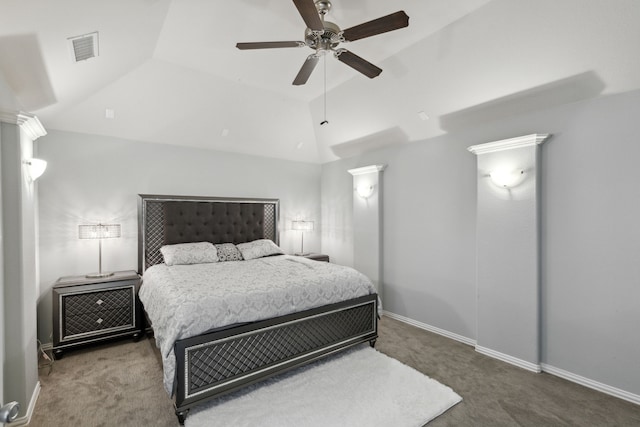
(120, 384)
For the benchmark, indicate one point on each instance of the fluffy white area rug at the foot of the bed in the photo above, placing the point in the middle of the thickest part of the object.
(360, 387)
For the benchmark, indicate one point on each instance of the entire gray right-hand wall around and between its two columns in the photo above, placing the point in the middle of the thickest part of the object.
(590, 239)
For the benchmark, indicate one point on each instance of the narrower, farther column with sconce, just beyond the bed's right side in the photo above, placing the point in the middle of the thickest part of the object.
(367, 222)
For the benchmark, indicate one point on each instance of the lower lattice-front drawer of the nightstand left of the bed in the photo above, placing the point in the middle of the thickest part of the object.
(97, 322)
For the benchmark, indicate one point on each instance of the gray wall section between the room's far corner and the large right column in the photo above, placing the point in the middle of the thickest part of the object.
(428, 215)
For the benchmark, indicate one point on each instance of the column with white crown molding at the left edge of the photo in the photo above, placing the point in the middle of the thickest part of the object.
(19, 261)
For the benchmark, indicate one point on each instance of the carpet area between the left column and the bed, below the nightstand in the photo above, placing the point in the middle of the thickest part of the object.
(117, 384)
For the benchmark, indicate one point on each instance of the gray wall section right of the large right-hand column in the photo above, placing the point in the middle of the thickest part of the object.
(591, 241)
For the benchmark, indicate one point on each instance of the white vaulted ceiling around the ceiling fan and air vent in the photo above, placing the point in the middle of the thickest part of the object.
(170, 71)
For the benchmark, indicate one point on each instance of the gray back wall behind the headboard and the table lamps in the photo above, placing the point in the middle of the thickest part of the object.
(91, 179)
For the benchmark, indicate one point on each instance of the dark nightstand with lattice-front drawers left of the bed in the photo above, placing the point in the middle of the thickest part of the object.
(87, 310)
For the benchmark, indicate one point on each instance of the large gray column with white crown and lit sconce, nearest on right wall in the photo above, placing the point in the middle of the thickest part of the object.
(508, 265)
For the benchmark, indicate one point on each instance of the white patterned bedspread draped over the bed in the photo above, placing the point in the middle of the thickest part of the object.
(186, 300)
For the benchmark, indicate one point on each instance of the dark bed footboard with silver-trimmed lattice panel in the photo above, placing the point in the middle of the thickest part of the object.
(220, 362)
